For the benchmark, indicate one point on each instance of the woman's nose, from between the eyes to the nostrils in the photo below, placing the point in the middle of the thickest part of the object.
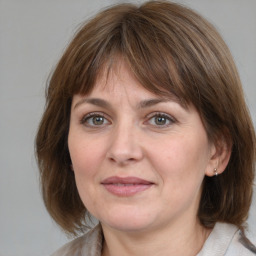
(125, 147)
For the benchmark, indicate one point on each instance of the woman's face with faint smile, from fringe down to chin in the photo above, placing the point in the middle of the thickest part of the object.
(139, 160)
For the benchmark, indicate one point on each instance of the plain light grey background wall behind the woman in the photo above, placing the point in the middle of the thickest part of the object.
(33, 34)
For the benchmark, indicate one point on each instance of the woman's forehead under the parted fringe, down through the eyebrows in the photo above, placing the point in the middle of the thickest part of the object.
(119, 86)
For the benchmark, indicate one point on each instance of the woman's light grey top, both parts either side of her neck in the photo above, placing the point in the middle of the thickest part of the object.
(224, 240)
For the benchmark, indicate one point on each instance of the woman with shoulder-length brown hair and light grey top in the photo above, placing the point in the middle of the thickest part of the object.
(146, 129)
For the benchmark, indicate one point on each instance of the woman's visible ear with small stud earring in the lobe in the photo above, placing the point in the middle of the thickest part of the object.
(220, 153)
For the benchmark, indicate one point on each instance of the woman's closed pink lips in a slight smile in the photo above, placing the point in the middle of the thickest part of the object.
(127, 186)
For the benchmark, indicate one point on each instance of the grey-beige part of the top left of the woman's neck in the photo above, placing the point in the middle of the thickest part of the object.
(89, 244)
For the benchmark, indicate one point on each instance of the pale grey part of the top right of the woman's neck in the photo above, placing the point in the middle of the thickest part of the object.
(227, 240)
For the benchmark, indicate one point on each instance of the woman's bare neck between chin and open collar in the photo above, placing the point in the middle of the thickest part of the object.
(178, 240)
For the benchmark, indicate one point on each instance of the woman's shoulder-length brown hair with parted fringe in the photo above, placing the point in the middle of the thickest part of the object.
(170, 49)
